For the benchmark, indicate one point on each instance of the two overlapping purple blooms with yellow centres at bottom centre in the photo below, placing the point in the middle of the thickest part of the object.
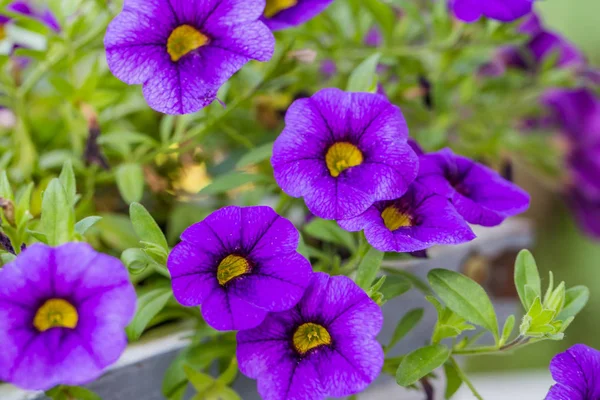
(302, 335)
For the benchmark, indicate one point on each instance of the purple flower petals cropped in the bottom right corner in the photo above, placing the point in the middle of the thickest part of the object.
(577, 374)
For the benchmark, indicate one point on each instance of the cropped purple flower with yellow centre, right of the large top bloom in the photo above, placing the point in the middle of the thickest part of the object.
(283, 14)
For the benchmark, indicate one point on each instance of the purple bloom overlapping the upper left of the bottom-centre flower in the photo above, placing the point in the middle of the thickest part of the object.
(239, 264)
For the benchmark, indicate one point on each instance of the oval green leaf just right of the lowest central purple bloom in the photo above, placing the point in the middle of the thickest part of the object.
(420, 363)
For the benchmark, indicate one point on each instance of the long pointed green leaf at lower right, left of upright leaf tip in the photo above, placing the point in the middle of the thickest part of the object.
(465, 297)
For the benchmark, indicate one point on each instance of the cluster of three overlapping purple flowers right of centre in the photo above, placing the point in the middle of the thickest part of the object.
(348, 155)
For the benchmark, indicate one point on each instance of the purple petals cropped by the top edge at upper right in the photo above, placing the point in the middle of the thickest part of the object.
(501, 10)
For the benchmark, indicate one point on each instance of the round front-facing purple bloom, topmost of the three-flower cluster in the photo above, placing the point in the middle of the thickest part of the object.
(342, 152)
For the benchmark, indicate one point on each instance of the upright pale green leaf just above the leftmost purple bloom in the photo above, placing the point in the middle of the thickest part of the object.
(58, 216)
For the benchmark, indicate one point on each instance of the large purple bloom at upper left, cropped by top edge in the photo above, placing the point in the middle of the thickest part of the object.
(182, 52)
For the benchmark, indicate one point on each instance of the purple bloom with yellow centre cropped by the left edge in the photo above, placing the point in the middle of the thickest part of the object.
(63, 312)
